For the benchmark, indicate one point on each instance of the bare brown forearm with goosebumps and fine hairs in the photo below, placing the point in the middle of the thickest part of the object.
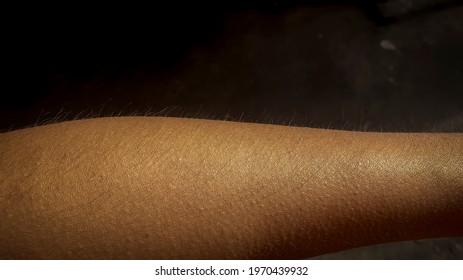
(172, 188)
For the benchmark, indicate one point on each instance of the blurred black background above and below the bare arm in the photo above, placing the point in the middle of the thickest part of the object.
(355, 65)
